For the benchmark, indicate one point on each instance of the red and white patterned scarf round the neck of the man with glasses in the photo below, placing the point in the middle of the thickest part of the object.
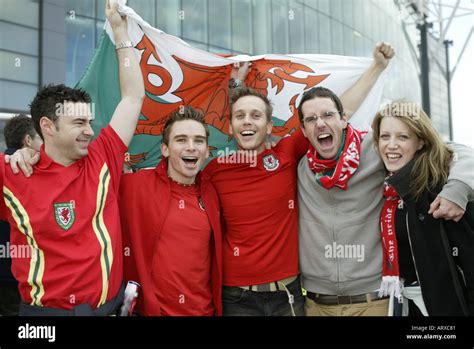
(343, 166)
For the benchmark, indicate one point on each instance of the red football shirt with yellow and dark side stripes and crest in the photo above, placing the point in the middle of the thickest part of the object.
(68, 220)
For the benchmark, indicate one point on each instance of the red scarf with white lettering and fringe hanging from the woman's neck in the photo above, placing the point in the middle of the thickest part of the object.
(391, 284)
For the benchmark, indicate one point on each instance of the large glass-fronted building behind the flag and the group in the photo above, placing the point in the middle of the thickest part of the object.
(44, 41)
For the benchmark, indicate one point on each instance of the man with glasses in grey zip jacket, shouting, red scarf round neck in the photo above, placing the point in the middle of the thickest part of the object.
(340, 249)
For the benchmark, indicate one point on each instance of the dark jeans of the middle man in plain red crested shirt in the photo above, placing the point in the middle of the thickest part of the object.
(239, 302)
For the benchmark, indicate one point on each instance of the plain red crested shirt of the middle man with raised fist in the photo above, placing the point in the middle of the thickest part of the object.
(260, 210)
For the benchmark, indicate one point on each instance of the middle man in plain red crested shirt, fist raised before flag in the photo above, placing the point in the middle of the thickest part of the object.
(257, 191)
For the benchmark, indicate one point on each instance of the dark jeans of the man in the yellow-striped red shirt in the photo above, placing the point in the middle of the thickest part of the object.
(79, 310)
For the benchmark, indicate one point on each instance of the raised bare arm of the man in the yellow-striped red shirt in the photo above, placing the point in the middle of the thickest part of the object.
(125, 117)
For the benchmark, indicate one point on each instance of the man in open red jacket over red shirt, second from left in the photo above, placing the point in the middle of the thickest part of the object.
(171, 226)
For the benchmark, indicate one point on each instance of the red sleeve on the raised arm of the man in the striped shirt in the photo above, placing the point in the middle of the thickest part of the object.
(109, 147)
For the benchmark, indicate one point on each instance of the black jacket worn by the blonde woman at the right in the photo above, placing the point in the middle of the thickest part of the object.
(443, 250)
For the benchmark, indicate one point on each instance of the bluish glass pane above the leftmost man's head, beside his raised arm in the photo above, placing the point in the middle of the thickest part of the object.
(80, 36)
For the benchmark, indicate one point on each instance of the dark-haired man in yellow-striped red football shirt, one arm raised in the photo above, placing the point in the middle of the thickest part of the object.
(66, 215)
